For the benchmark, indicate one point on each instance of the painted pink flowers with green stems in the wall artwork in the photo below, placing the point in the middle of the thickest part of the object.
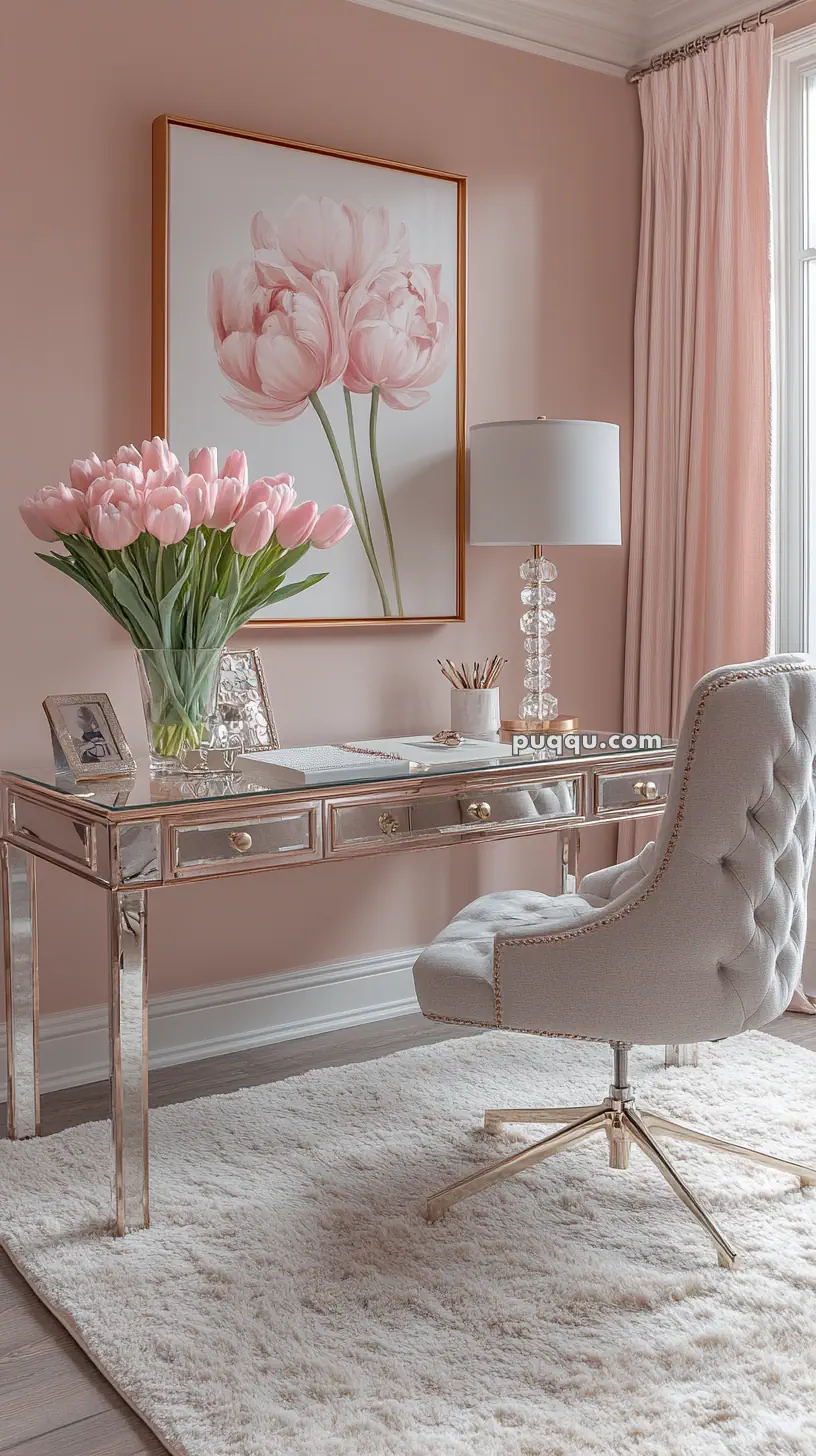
(331, 295)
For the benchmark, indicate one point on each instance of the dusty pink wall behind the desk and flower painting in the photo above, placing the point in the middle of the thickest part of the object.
(553, 158)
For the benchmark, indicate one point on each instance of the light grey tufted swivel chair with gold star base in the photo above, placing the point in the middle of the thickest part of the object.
(696, 940)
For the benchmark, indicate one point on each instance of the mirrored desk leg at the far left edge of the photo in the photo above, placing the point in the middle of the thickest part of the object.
(21, 991)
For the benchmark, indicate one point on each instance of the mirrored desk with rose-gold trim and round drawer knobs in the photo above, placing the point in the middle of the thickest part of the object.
(141, 836)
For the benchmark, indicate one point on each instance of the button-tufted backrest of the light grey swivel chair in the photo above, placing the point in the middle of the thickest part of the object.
(737, 842)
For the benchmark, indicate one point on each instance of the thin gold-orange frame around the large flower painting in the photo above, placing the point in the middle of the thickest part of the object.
(161, 314)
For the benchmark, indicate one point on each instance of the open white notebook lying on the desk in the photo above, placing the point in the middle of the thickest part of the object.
(366, 759)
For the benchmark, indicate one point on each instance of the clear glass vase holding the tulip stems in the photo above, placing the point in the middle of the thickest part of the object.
(178, 697)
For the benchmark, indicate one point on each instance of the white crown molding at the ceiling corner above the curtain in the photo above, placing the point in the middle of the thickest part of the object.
(603, 36)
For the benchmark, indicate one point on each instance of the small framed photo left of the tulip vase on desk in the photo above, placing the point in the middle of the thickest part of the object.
(88, 737)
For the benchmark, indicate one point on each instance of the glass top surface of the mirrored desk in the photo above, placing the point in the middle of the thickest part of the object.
(144, 790)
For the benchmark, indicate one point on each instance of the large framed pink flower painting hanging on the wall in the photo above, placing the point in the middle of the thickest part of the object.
(310, 306)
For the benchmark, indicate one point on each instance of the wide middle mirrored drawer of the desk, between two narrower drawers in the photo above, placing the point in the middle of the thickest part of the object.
(364, 826)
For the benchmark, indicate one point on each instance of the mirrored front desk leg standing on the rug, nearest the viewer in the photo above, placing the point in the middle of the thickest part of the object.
(129, 1058)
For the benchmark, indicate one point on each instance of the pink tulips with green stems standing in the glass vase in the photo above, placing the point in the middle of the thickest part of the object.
(181, 561)
